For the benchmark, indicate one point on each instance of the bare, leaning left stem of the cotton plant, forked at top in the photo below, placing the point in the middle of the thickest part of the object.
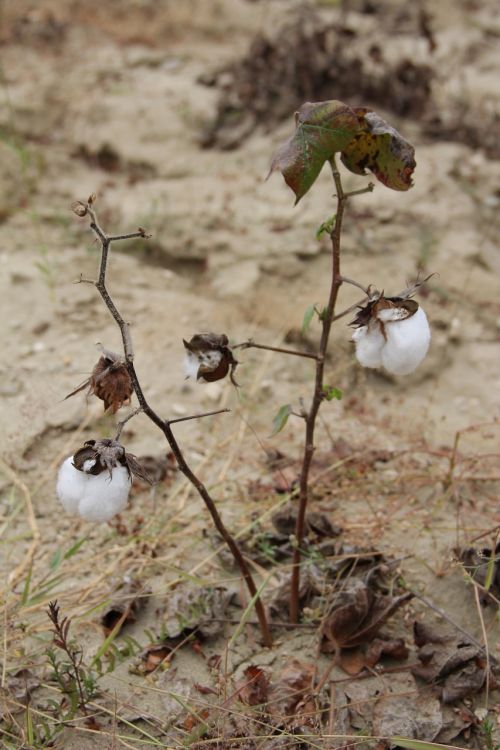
(165, 425)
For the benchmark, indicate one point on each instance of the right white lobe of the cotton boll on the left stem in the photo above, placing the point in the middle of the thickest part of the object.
(105, 495)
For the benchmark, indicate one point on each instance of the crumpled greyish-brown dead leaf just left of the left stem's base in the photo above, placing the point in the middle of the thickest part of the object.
(192, 608)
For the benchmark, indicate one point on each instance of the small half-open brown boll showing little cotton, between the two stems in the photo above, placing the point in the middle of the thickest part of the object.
(209, 358)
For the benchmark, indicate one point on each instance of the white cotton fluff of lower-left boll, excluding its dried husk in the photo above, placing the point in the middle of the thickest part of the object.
(94, 497)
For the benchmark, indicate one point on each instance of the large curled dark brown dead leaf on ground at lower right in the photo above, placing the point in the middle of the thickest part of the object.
(451, 659)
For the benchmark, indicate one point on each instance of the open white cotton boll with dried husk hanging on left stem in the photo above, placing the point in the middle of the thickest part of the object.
(95, 482)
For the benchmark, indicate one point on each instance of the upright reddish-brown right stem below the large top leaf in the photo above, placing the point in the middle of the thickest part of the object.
(318, 395)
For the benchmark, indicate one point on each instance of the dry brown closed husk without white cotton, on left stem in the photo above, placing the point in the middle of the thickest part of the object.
(109, 381)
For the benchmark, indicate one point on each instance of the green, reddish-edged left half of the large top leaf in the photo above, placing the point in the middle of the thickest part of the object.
(323, 129)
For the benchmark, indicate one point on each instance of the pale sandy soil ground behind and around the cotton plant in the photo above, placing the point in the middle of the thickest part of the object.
(109, 100)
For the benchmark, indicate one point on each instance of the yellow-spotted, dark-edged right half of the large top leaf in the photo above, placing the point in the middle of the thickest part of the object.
(381, 149)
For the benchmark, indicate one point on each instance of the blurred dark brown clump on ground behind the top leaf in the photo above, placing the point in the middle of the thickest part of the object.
(312, 59)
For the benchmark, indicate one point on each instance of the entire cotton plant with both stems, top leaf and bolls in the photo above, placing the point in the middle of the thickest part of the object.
(391, 331)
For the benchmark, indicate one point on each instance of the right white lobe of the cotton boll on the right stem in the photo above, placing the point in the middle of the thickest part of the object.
(407, 343)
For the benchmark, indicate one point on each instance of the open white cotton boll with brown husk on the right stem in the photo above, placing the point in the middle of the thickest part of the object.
(391, 332)
